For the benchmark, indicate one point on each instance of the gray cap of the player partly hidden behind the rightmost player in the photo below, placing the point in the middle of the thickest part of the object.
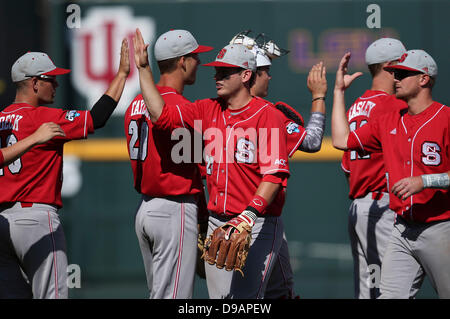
(384, 50)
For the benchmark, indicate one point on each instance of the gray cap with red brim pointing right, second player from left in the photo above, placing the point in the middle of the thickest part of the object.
(175, 43)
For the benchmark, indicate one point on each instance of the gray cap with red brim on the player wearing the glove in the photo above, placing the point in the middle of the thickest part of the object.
(235, 56)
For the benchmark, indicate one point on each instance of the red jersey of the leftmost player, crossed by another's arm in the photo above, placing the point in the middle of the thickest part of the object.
(36, 177)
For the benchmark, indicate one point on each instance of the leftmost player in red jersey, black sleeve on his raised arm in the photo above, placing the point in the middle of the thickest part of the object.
(33, 260)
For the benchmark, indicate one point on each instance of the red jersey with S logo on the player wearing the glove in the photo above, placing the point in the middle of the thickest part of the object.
(241, 147)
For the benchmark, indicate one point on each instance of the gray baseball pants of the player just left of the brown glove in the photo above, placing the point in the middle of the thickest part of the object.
(166, 229)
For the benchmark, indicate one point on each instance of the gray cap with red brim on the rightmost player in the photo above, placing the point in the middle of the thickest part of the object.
(416, 60)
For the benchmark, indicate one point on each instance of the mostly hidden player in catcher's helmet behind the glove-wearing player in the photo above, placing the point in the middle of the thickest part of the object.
(281, 282)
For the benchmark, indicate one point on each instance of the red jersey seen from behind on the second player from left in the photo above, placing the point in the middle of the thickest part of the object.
(150, 151)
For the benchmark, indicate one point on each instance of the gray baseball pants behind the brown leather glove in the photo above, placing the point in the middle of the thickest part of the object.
(267, 236)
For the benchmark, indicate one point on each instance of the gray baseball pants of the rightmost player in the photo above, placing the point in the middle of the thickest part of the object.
(416, 250)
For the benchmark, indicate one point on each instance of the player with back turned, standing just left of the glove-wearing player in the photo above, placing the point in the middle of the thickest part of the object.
(166, 221)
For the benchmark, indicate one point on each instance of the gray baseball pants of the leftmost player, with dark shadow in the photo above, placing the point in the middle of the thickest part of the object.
(33, 260)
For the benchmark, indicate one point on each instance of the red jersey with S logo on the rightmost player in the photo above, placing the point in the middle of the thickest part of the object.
(412, 145)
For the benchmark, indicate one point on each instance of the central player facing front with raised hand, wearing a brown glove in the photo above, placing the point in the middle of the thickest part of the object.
(246, 162)
